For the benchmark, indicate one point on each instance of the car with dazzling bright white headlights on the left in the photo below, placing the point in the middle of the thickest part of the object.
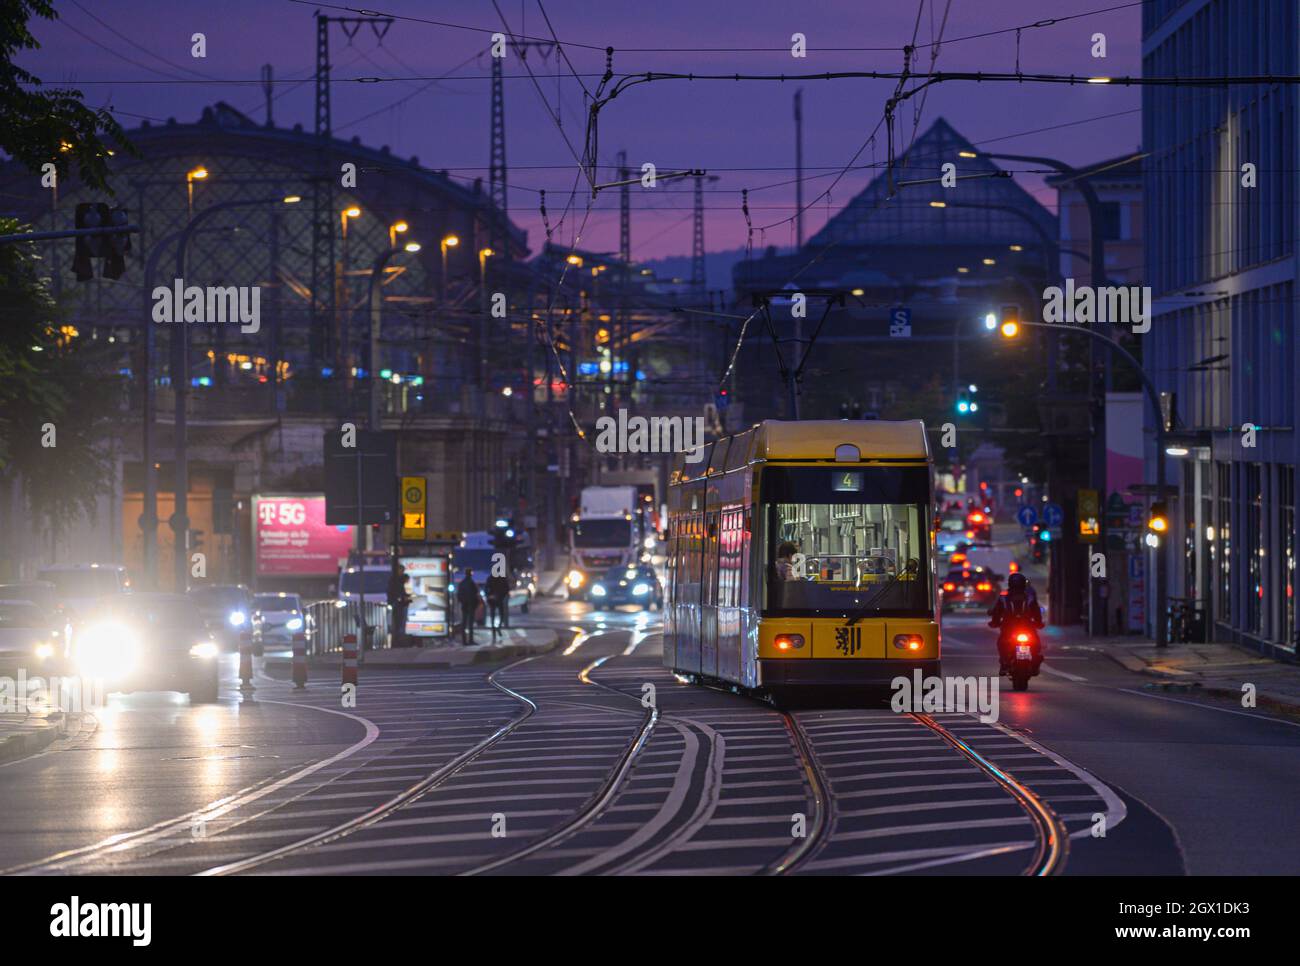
(149, 642)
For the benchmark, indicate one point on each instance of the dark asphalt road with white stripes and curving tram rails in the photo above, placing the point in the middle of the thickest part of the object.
(593, 760)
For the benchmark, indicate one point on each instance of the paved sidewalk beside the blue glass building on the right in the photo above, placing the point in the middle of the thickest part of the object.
(1208, 669)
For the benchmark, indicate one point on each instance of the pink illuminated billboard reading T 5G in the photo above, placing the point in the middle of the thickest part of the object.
(292, 538)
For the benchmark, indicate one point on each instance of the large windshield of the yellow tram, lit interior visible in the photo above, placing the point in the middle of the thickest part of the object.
(846, 542)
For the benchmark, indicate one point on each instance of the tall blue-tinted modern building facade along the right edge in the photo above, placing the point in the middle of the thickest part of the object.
(1223, 262)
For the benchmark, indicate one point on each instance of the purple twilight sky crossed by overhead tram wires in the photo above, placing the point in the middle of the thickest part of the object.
(740, 132)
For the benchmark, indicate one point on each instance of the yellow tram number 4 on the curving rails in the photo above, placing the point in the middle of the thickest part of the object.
(803, 555)
